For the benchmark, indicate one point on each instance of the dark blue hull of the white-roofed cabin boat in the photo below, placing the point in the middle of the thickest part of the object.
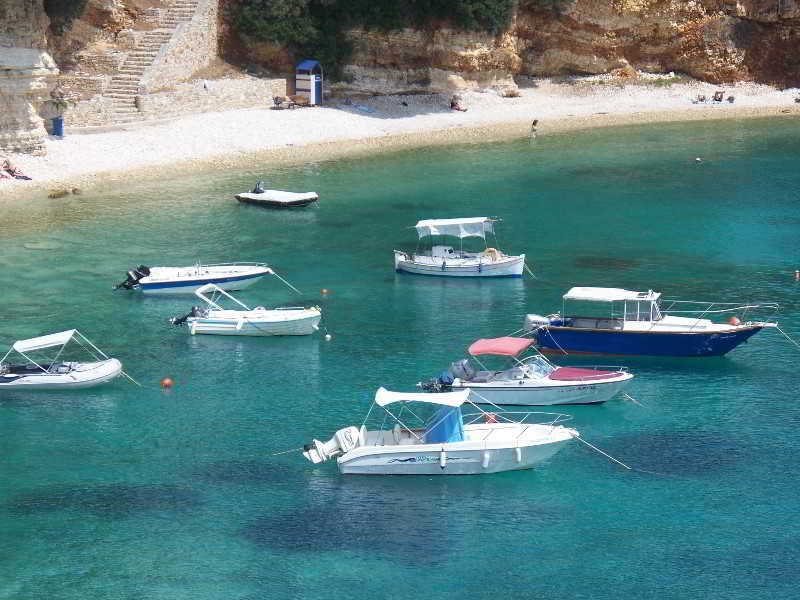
(605, 341)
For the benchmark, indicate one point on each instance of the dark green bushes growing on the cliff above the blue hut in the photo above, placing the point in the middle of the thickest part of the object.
(315, 28)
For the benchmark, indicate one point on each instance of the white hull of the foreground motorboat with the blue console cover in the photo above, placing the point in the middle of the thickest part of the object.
(467, 461)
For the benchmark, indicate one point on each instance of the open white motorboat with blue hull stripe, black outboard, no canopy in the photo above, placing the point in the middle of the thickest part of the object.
(186, 280)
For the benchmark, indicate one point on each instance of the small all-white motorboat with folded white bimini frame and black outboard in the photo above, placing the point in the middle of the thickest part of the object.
(258, 321)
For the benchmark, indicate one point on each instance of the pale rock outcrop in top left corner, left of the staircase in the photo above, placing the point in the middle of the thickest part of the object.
(27, 73)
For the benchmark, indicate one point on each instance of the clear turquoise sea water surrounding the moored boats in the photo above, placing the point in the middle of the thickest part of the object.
(132, 493)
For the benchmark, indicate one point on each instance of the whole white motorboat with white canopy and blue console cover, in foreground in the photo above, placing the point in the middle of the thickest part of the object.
(448, 443)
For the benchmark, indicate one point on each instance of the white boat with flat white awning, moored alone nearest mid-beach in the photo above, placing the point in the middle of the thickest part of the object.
(446, 261)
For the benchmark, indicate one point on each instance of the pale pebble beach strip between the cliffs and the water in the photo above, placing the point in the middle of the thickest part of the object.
(258, 136)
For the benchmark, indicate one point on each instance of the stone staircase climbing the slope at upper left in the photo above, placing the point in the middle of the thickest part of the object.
(124, 86)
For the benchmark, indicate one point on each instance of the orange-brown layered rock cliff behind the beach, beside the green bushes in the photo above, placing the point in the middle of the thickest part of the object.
(714, 40)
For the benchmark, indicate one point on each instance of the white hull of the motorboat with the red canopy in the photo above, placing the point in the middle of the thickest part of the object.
(551, 395)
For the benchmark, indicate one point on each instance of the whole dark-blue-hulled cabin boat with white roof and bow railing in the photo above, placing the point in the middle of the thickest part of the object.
(642, 323)
